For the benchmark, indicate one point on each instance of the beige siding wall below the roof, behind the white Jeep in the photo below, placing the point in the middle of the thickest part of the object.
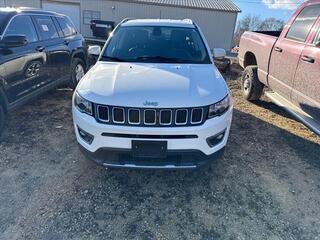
(218, 26)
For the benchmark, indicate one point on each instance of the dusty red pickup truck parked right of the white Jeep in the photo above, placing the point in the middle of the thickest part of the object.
(287, 63)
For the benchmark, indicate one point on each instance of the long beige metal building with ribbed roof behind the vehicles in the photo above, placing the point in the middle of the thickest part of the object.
(217, 18)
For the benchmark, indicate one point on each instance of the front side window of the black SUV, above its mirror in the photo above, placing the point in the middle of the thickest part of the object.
(22, 25)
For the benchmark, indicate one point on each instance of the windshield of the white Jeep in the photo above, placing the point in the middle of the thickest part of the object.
(156, 45)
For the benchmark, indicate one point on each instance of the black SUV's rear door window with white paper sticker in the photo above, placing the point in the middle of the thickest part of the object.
(46, 27)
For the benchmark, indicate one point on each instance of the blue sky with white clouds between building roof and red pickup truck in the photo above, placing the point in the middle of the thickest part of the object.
(268, 8)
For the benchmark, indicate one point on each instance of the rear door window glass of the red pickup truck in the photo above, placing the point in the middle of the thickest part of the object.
(301, 27)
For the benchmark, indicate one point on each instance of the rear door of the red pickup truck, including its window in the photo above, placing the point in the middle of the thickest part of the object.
(287, 51)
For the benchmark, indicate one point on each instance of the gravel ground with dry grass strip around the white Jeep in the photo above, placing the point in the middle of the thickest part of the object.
(267, 185)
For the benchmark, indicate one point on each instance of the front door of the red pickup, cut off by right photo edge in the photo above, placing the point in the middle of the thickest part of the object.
(306, 90)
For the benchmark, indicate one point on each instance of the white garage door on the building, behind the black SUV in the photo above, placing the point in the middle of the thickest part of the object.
(71, 10)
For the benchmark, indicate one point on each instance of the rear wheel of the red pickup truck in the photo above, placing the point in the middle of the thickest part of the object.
(252, 88)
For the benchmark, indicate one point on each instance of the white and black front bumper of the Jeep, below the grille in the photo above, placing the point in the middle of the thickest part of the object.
(112, 144)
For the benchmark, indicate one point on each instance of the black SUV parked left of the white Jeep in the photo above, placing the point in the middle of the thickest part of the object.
(39, 50)
